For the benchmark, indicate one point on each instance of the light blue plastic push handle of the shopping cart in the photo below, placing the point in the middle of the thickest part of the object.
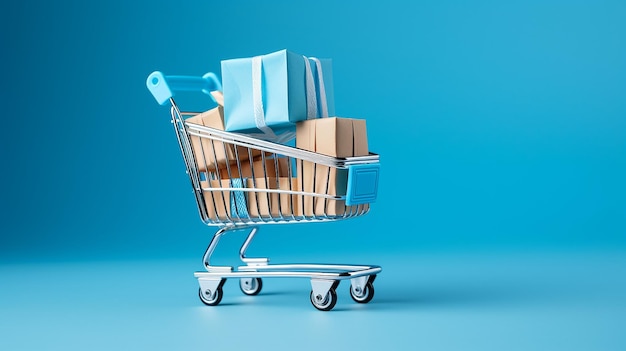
(164, 87)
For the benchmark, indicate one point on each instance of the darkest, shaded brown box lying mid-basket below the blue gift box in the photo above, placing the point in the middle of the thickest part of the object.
(248, 167)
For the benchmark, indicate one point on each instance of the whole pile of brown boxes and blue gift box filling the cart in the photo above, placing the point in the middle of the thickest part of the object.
(268, 95)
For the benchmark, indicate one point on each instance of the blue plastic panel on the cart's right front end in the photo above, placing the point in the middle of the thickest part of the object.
(362, 184)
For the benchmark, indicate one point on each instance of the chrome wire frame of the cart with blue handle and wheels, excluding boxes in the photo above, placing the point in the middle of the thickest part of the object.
(324, 278)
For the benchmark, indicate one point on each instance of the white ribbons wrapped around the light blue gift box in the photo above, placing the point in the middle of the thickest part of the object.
(311, 98)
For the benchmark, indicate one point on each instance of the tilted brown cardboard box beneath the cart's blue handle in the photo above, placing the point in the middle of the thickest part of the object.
(203, 147)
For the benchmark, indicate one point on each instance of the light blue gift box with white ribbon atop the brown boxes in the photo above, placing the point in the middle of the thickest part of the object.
(268, 94)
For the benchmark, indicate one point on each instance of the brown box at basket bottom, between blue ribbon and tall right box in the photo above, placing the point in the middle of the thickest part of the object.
(263, 204)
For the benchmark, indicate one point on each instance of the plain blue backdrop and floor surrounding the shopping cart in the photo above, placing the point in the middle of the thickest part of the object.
(501, 128)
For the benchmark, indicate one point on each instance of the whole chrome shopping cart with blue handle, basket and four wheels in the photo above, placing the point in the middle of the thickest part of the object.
(274, 192)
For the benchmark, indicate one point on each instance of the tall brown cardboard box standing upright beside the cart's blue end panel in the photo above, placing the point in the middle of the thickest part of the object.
(337, 137)
